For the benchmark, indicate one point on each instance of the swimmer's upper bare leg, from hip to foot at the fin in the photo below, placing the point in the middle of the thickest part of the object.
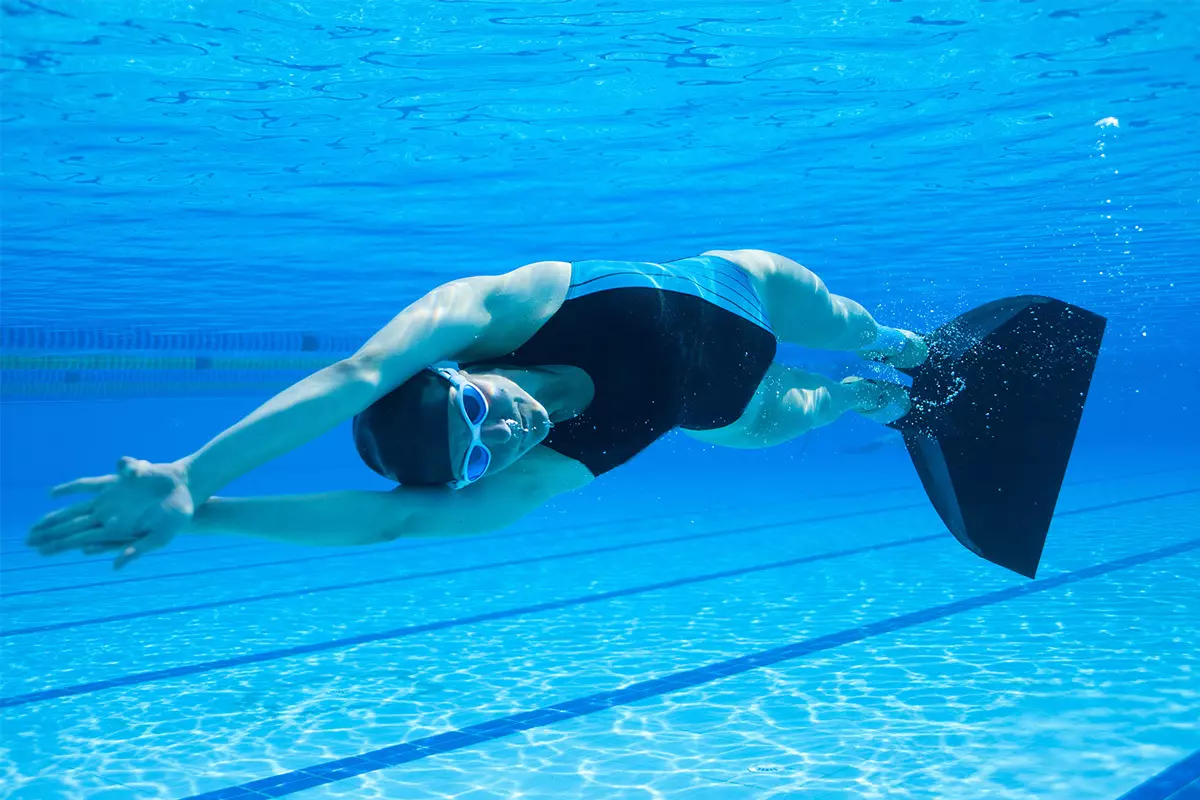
(805, 312)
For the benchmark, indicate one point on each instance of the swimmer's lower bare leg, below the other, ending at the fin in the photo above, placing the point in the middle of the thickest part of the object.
(790, 402)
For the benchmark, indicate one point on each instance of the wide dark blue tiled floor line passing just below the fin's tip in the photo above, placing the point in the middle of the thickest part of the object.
(500, 727)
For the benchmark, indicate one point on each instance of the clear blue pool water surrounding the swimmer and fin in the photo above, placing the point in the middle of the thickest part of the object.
(203, 203)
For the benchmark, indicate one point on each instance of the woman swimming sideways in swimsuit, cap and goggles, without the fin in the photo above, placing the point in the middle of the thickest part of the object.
(493, 395)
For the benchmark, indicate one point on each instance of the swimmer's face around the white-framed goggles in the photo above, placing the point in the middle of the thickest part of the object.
(515, 423)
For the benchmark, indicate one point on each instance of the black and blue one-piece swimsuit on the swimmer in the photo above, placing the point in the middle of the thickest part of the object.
(677, 345)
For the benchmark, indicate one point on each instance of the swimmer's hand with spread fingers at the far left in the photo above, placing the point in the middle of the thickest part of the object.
(139, 509)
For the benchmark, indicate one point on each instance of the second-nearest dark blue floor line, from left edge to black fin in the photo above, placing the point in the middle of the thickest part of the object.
(412, 630)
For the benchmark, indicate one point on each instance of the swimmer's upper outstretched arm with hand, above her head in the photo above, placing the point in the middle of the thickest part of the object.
(143, 506)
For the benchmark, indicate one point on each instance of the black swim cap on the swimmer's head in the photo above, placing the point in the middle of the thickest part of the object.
(406, 434)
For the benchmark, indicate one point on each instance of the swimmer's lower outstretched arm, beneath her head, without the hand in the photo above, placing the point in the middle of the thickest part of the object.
(346, 519)
